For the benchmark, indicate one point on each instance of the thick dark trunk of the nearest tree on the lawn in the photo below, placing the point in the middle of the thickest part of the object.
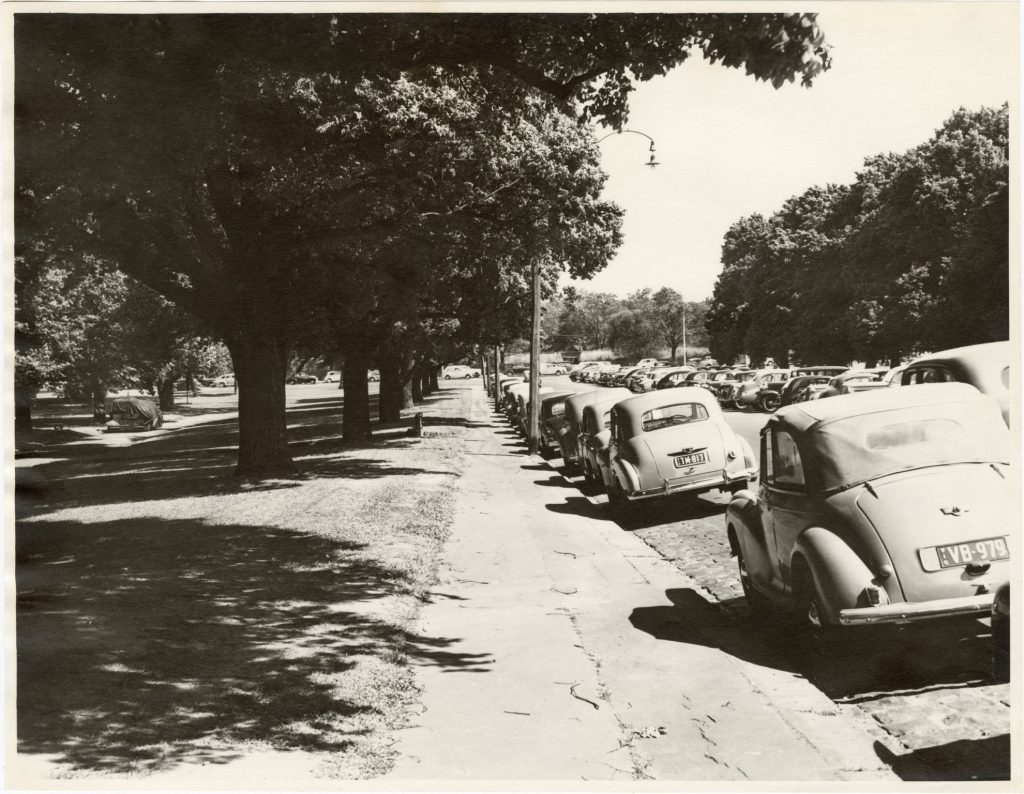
(261, 364)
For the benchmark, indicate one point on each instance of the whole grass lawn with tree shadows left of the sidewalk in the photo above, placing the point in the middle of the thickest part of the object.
(172, 615)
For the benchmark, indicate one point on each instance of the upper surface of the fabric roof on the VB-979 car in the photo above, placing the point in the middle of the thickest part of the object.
(803, 416)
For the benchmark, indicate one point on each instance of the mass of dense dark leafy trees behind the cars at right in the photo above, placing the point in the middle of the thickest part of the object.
(913, 257)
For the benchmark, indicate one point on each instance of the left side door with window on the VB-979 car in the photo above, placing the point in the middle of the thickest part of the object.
(786, 500)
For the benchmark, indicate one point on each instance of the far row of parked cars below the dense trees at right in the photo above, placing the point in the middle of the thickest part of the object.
(985, 366)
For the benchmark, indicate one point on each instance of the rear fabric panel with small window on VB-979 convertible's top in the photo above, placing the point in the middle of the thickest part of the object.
(863, 448)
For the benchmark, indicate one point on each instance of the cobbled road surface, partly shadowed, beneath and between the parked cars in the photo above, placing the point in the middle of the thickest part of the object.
(925, 687)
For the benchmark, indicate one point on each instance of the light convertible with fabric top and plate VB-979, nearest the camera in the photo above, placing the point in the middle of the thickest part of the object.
(890, 507)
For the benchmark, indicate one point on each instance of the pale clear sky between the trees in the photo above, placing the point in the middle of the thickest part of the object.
(730, 146)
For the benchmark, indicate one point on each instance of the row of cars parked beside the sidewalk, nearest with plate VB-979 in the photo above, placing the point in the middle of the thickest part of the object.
(875, 507)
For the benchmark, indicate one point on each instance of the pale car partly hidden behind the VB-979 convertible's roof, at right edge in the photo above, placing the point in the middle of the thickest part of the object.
(987, 367)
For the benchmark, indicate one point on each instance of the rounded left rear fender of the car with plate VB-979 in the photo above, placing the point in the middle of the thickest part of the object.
(839, 574)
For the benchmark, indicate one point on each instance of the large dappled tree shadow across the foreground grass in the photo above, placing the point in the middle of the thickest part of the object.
(143, 644)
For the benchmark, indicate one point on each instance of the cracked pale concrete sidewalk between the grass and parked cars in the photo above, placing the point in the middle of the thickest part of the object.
(573, 652)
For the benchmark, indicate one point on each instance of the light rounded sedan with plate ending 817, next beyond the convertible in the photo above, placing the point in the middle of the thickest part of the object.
(674, 442)
